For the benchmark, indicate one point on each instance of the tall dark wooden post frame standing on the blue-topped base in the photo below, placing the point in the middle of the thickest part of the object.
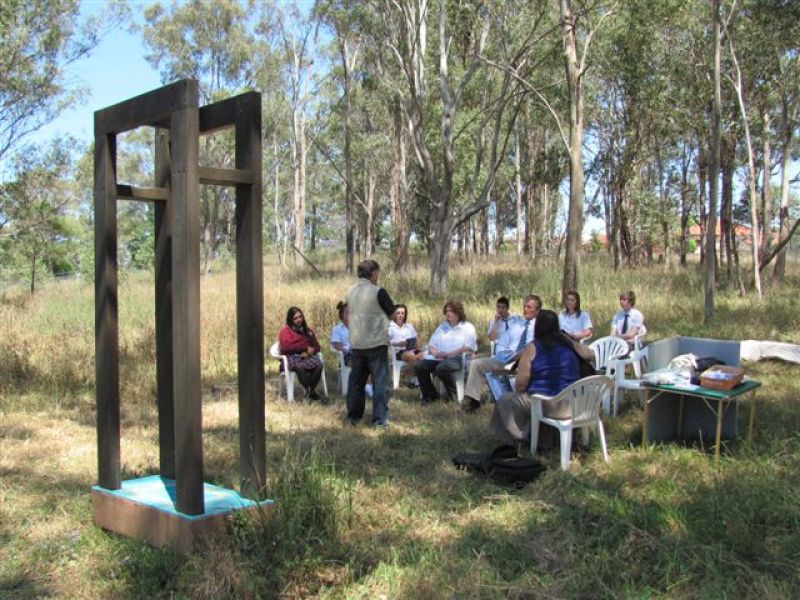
(173, 110)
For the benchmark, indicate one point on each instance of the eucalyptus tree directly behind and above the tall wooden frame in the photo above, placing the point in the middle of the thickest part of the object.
(212, 41)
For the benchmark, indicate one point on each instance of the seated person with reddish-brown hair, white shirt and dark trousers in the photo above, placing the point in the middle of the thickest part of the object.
(443, 357)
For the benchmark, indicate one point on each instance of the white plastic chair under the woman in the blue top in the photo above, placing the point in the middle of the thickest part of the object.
(585, 397)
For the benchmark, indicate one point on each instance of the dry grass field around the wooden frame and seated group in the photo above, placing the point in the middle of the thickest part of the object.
(382, 514)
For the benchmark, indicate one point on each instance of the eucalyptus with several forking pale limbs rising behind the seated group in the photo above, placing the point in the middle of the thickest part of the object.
(439, 116)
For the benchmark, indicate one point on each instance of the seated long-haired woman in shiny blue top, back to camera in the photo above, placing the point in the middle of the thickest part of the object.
(546, 367)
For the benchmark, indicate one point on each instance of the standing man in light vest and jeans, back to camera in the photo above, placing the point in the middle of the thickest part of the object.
(370, 308)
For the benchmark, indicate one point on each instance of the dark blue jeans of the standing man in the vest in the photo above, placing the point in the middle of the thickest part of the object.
(363, 363)
